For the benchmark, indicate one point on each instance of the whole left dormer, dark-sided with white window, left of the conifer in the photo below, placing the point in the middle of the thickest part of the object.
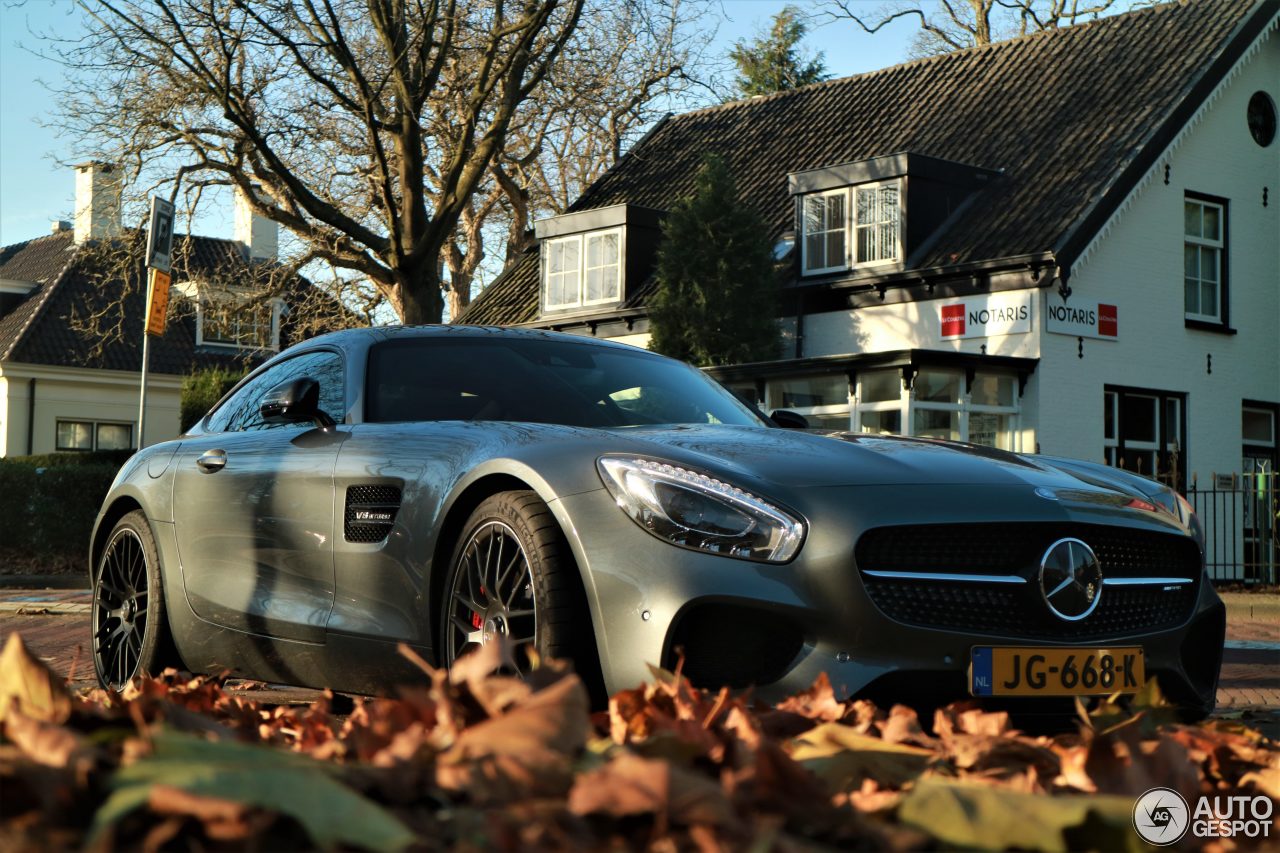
(588, 257)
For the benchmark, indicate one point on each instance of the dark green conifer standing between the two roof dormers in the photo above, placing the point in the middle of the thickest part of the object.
(717, 282)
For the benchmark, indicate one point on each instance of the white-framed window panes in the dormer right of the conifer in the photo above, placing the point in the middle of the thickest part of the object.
(839, 235)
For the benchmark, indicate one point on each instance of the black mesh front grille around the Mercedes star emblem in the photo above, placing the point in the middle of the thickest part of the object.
(1018, 609)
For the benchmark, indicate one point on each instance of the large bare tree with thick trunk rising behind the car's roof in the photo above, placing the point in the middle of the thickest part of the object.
(365, 127)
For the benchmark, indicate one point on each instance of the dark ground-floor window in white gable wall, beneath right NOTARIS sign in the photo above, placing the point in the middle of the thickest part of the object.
(1142, 432)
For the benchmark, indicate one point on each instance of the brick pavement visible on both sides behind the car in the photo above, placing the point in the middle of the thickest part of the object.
(54, 624)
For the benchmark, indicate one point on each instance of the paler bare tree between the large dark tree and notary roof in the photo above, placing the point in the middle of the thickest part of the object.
(629, 62)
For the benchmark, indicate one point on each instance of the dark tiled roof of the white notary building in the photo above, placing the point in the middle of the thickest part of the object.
(1064, 115)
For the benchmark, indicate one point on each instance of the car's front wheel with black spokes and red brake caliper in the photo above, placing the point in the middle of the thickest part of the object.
(513, 574)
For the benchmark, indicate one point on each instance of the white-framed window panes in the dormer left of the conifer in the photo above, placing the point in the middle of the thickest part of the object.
(583, 270)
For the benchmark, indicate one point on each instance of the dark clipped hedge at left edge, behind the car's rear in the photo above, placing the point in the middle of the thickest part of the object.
(48, 505)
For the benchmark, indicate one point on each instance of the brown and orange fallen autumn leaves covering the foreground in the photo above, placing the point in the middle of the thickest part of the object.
(476, 760)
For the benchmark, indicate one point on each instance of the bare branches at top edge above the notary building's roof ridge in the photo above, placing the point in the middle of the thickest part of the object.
(956, 25)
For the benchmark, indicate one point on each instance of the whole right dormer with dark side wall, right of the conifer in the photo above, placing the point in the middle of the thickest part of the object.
(854, 216)
